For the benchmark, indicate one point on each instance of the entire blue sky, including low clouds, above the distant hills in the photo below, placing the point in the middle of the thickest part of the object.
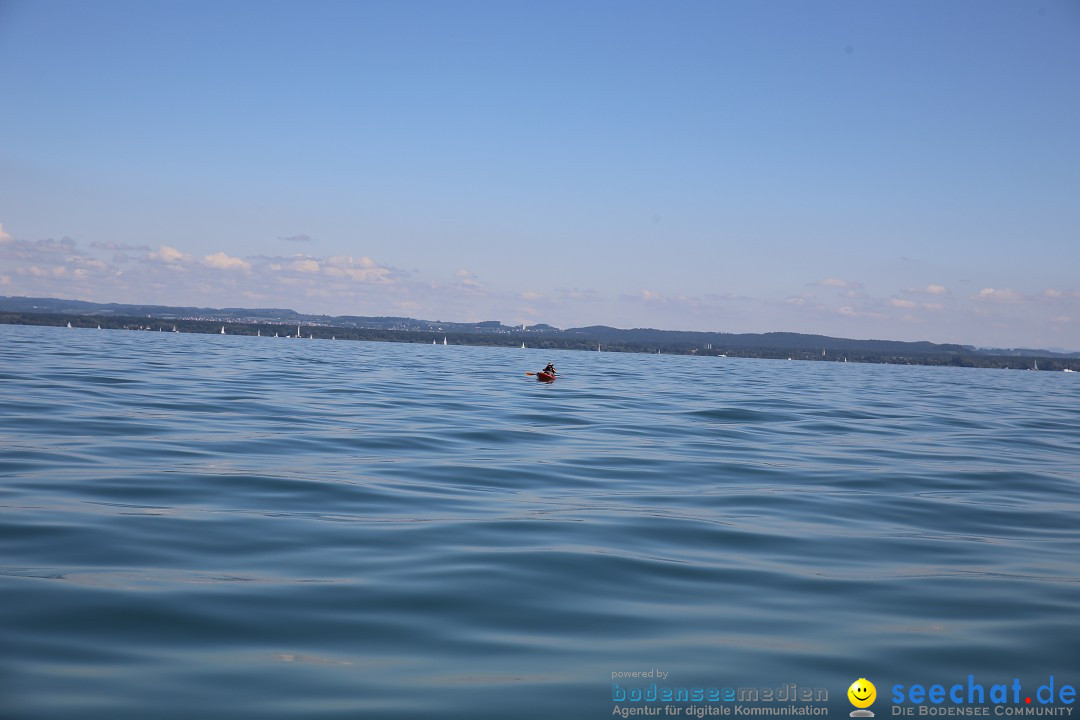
(890, 170)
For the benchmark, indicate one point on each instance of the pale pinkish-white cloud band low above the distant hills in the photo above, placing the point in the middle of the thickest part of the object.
(345, 284)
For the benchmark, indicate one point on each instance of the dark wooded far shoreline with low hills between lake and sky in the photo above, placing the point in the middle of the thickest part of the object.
(557, 341)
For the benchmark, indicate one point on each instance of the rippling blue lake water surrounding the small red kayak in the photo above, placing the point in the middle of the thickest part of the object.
(233, 527)
